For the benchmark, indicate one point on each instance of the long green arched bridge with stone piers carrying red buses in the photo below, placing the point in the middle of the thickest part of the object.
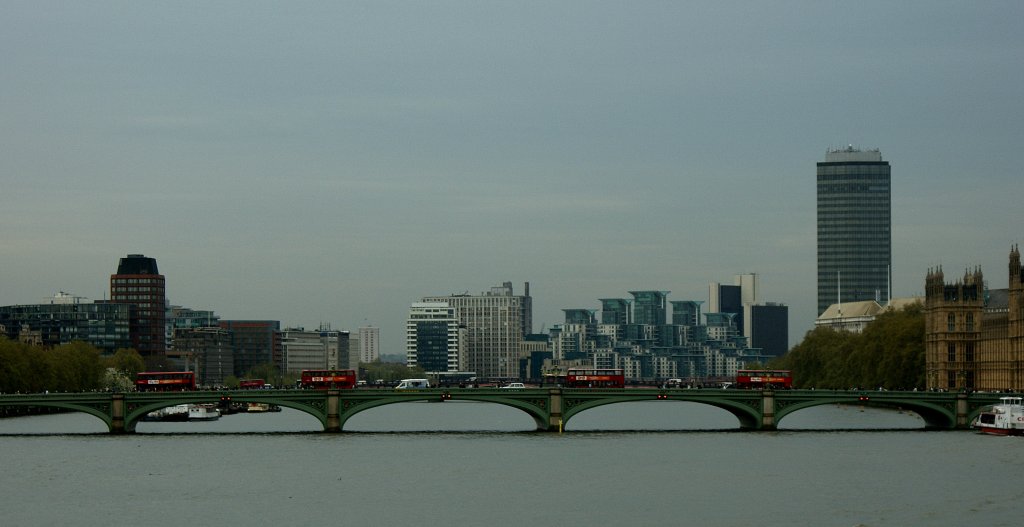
(550, 408)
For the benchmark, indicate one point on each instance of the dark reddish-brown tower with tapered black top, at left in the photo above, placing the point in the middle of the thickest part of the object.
(140, 284)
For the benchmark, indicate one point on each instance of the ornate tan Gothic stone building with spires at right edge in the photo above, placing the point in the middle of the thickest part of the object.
(974, 337)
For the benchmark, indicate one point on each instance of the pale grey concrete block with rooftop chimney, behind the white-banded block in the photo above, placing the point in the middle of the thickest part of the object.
(496, 324)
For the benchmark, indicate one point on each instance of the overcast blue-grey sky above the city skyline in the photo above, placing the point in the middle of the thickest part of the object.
(334, 162)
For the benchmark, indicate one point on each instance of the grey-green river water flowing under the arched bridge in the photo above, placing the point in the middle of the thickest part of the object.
(476, 464)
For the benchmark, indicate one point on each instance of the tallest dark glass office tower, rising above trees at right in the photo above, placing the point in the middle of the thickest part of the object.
(855, 228)
